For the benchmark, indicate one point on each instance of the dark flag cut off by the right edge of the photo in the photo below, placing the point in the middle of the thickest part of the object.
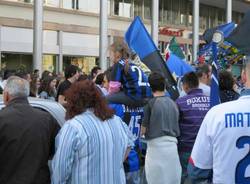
(240, 38)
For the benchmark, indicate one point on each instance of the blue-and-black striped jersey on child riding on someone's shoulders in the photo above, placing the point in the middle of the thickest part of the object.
(134, 81)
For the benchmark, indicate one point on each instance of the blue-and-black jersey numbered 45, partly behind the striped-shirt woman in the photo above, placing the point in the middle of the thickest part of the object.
(133, 118)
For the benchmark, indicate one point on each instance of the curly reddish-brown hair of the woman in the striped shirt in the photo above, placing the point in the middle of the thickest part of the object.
(84, 95)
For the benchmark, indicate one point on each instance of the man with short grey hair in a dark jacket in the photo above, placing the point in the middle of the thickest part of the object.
(26, 137)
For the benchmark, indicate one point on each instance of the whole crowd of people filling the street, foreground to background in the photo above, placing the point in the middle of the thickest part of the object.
(109, 112)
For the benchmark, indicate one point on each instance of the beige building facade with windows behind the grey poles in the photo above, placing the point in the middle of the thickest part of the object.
(71, 28)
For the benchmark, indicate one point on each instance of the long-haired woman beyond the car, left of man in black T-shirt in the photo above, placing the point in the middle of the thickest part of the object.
(47, 89)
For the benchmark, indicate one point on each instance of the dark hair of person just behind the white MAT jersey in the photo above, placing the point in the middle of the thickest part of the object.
(226, 80)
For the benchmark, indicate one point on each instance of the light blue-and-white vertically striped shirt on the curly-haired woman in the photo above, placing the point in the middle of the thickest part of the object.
(89, 151)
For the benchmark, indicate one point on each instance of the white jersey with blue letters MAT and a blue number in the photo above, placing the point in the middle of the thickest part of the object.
(223, 142)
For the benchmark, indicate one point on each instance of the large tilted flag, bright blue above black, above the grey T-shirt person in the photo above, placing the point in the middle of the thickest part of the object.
(139, 41)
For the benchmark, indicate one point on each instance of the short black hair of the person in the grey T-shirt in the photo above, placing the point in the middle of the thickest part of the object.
(157, 81)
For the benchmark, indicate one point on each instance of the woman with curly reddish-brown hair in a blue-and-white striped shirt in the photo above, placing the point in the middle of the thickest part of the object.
(93, 143)
